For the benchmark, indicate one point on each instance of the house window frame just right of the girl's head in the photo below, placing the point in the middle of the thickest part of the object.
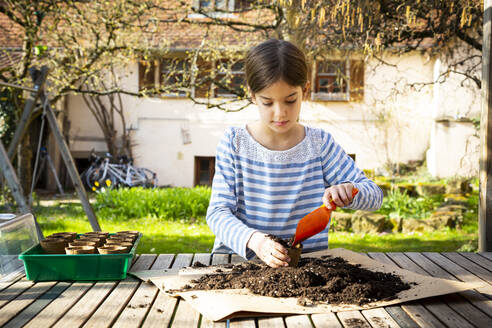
(330, 96)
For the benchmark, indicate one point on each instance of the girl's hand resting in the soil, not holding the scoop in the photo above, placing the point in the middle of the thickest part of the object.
(272, 253)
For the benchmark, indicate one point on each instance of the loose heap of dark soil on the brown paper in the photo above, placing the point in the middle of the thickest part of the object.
(326, 280)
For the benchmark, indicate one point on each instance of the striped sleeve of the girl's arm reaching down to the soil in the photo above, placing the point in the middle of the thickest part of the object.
(221, 214)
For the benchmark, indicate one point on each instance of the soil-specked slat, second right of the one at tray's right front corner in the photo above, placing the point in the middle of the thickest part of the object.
(136, 310)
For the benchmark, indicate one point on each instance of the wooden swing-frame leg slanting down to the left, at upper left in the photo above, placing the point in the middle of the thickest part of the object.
(39, 80)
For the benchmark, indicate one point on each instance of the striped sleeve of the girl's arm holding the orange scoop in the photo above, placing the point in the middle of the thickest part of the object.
(339, 168)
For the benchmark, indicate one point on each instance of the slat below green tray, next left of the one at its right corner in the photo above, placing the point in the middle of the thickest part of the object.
(51, 313)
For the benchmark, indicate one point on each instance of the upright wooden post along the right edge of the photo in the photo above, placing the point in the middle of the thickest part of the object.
(485, 207)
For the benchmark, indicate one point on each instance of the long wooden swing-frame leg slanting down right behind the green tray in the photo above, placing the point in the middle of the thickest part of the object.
(70, 165)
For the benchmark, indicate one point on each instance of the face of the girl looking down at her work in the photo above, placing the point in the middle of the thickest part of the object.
(279, 105)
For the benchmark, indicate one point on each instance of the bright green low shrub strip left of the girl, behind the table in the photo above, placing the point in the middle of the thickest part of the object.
(168, 203)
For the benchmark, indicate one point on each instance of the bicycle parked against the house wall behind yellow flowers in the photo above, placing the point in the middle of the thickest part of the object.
(104, 173)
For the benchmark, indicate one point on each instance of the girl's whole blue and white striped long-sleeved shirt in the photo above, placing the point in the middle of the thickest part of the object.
(258, 189)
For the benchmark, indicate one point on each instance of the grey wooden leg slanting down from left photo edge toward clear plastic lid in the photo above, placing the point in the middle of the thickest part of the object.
(14, 185)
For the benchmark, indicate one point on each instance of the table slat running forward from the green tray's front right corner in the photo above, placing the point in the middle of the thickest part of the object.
(80, 312)
